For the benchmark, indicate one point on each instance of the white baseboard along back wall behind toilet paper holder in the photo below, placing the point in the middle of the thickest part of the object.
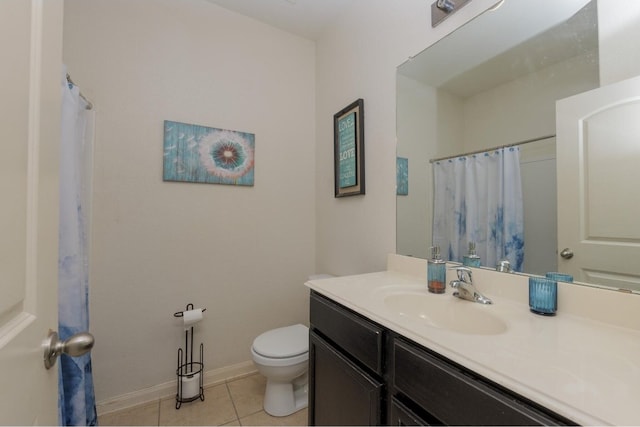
(169, 388)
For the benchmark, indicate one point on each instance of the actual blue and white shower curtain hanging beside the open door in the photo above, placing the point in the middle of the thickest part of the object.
(76, 403)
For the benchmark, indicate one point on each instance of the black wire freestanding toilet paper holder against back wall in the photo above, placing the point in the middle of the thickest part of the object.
(189, 373)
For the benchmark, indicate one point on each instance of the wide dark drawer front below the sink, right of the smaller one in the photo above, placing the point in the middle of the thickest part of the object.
(447, 393)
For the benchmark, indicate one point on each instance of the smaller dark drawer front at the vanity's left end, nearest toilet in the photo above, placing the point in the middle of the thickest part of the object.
(350, 332)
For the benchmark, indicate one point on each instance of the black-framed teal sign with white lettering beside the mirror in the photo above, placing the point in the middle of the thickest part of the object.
(348, 139)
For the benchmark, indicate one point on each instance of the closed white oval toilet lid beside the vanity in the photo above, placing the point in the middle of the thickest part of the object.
(283, 342)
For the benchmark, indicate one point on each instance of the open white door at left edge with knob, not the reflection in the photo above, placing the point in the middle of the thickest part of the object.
(30, 98)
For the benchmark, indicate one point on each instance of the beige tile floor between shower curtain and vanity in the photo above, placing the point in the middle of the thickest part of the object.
(234, 403)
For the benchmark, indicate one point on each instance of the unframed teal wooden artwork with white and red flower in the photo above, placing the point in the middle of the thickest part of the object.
(201, 154)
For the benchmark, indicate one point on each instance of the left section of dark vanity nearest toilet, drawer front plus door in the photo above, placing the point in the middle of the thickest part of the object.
(346, 384)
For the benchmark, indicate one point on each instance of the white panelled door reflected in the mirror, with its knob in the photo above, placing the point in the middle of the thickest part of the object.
(598, 167)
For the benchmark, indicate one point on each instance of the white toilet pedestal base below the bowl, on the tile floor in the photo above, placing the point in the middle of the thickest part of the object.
(285, 398)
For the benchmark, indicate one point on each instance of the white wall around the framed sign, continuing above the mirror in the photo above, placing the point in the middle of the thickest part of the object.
(357, 58)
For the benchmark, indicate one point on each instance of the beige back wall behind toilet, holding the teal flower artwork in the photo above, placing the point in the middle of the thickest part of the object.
(241, 252)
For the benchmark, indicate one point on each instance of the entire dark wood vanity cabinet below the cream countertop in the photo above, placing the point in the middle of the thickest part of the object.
(361, 373)
